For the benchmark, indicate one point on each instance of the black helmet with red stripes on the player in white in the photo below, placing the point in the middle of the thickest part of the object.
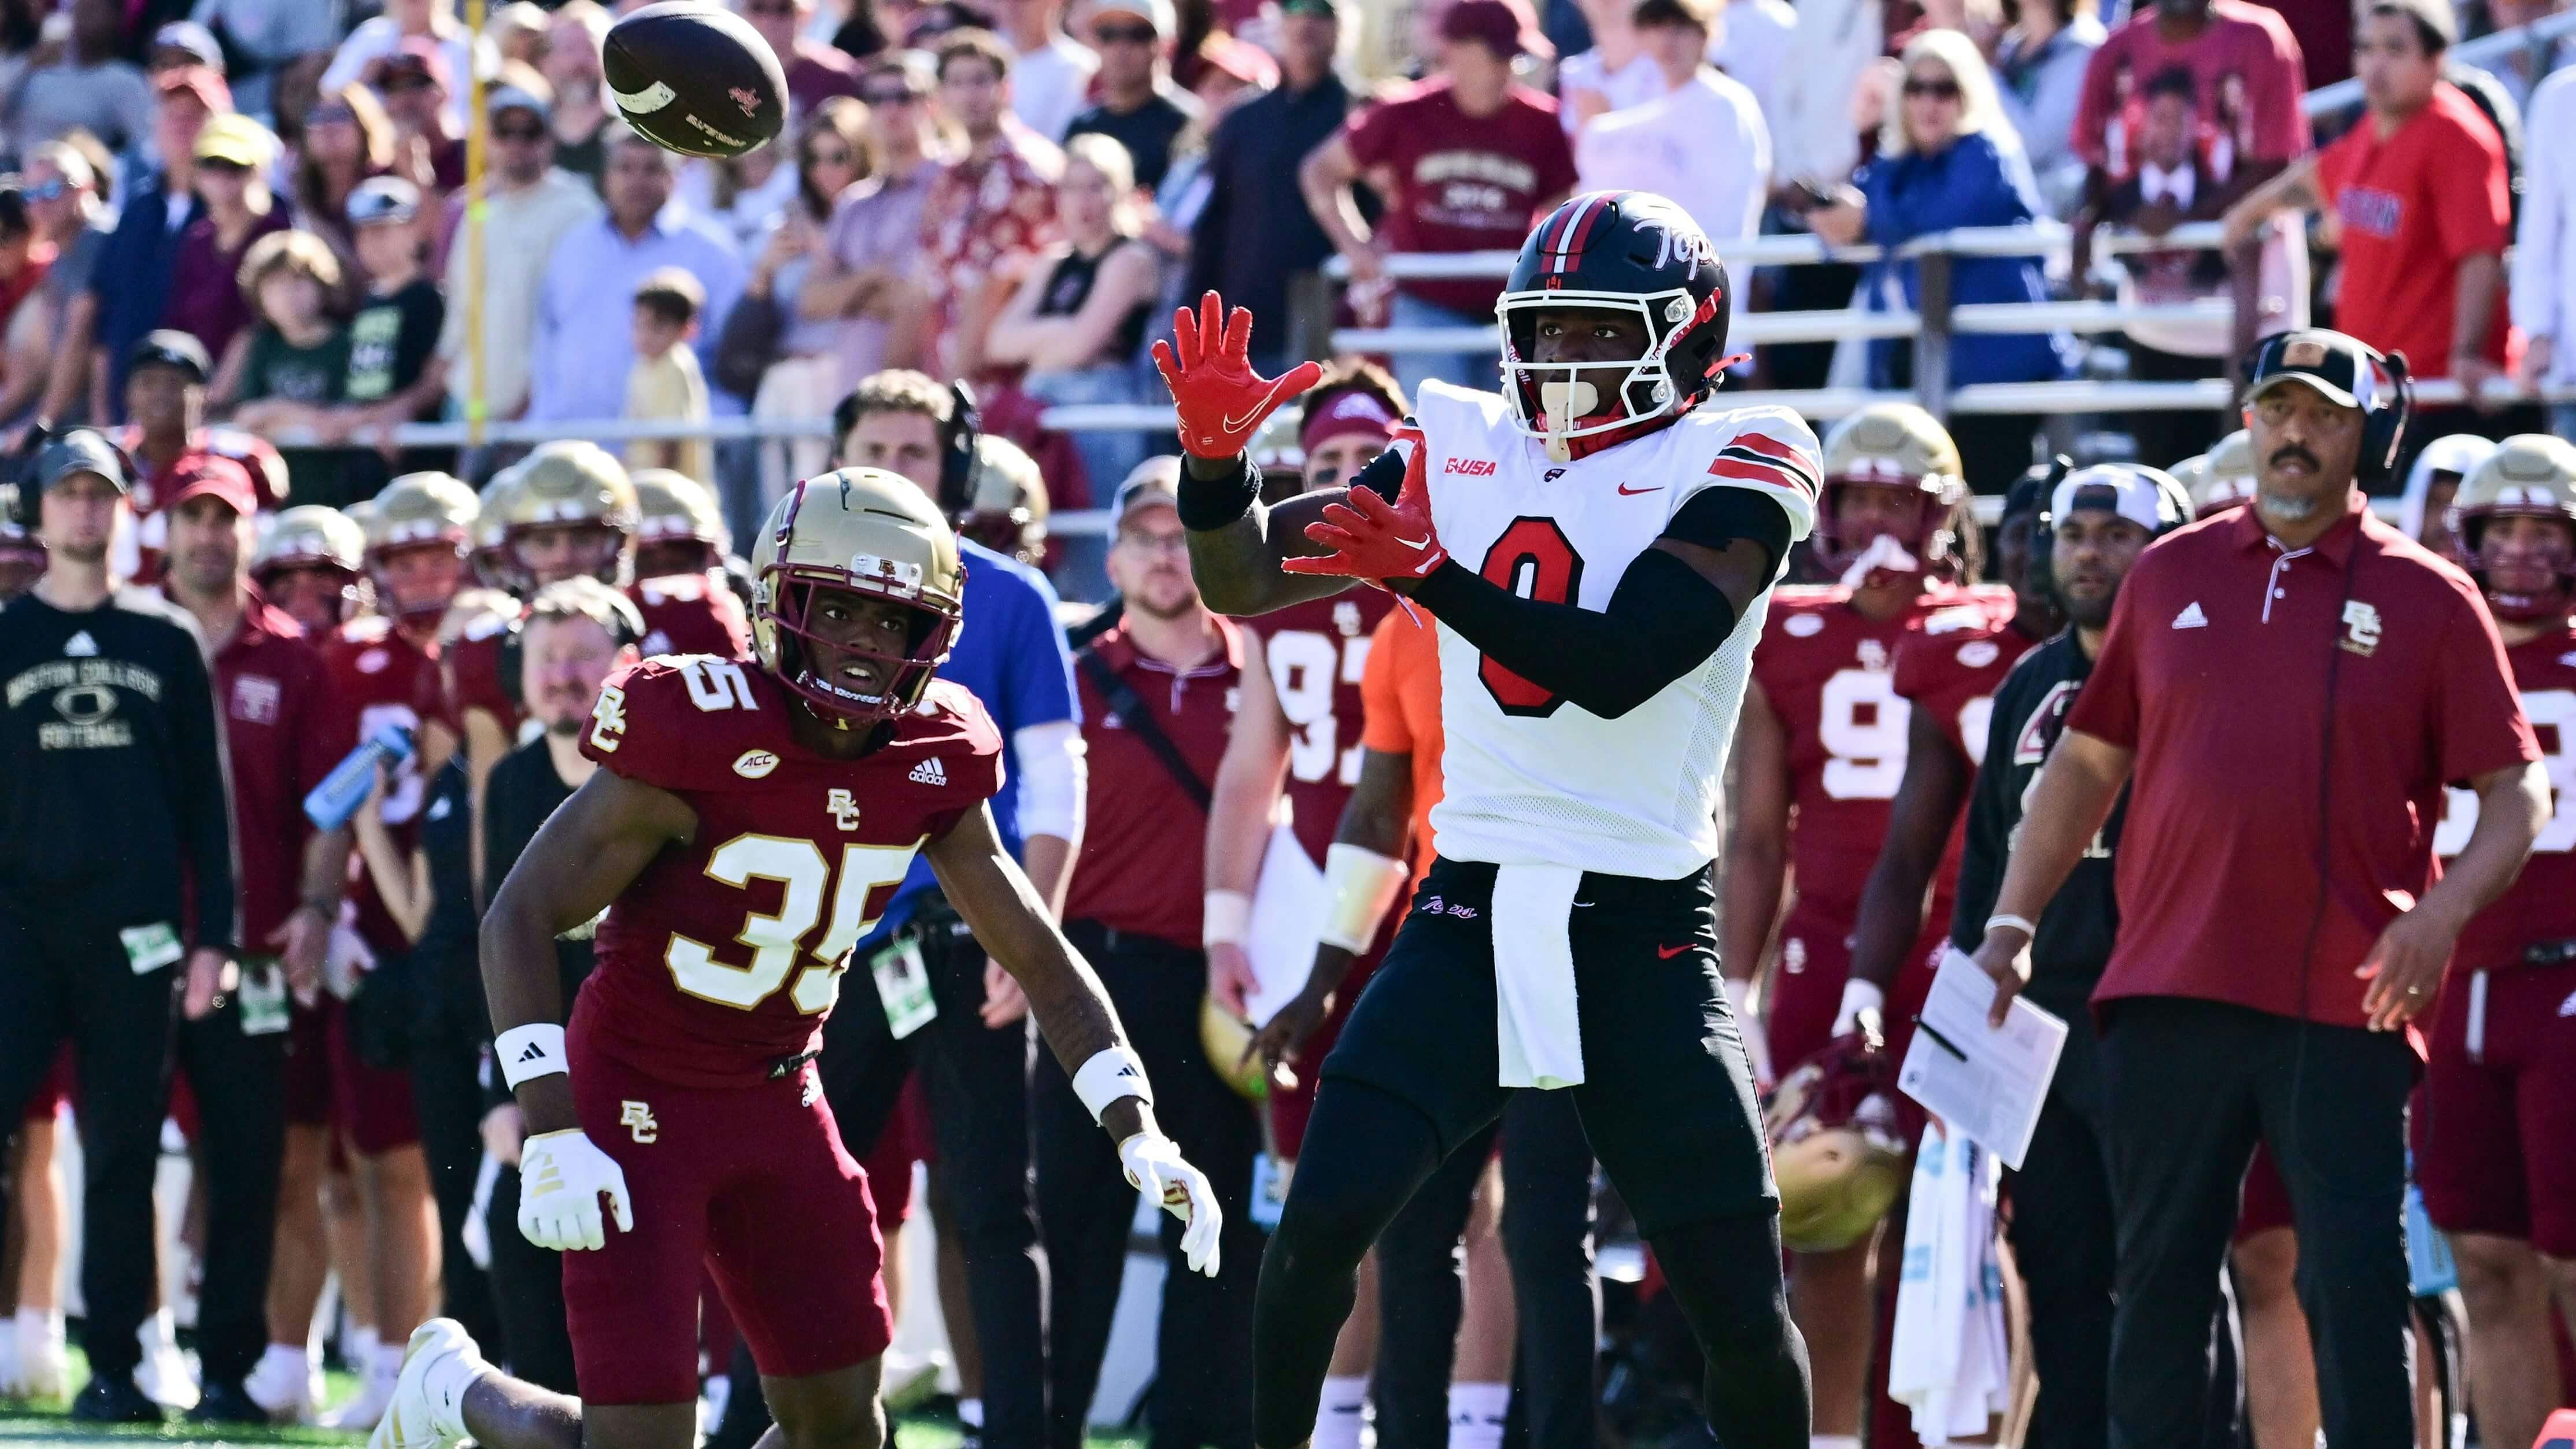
(1624, 251)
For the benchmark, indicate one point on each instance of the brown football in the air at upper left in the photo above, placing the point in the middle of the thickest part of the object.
(694, 78)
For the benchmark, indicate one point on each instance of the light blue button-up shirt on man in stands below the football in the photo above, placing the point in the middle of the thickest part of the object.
(589, 300)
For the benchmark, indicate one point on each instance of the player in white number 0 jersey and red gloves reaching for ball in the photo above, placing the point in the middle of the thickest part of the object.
(1598, 549)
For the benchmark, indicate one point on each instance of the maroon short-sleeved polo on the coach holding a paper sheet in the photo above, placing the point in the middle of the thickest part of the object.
(2217, 673)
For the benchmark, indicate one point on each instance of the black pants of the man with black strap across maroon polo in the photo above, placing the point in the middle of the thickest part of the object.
(1204, 1340)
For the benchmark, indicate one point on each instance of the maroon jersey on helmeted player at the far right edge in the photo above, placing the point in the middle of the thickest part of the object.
(2541, 902)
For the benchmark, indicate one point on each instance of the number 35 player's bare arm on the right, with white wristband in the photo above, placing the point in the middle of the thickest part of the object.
(1003, 910)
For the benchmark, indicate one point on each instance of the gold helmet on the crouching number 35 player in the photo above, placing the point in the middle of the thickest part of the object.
(869, 534)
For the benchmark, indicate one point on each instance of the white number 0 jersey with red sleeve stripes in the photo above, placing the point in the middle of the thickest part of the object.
(1534, 779)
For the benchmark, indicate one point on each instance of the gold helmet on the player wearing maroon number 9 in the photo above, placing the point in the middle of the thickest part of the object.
(1892, 447)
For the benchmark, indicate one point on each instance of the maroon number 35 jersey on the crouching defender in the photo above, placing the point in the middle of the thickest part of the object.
(725, 956)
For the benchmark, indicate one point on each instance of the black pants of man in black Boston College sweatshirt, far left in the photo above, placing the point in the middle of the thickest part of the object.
(66, 977)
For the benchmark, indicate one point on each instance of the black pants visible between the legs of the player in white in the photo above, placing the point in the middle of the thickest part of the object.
(1547, 1237)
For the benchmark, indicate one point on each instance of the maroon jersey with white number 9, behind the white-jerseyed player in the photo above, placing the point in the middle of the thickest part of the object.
(1830, 676)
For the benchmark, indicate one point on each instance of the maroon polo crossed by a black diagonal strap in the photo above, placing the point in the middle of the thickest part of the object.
(1142, 863)
